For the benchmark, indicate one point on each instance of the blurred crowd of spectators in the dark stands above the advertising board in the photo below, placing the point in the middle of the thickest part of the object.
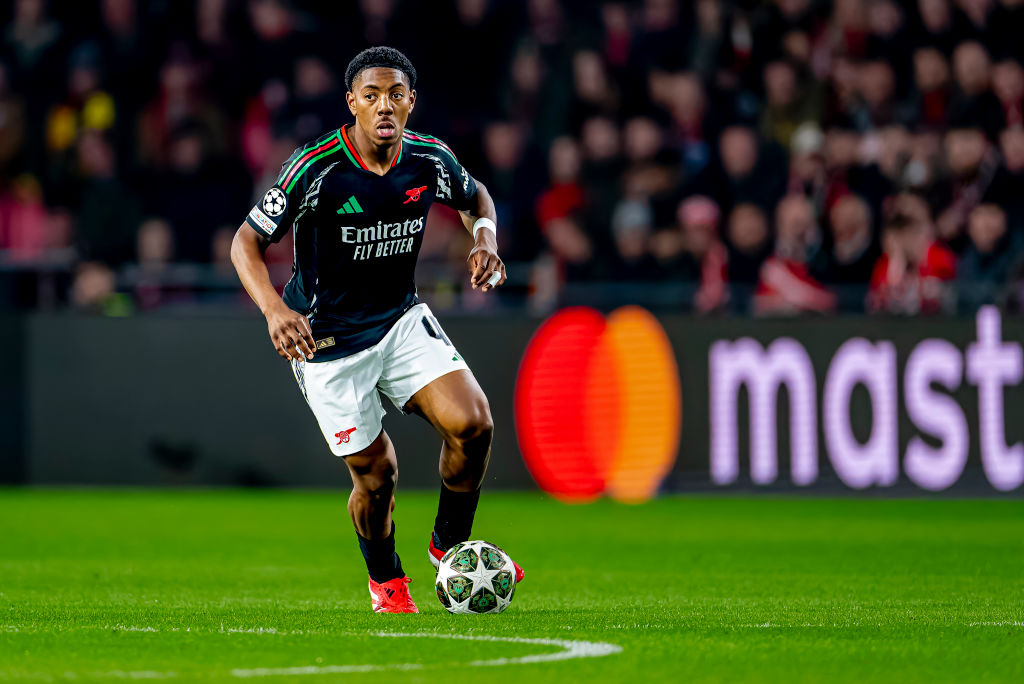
(774, 156)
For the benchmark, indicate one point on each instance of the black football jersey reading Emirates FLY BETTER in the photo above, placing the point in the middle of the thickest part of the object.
(358, 235)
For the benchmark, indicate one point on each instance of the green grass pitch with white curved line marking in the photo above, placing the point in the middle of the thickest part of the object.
(270, 586)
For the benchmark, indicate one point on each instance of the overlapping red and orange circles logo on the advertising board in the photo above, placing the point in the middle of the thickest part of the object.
(599, 409)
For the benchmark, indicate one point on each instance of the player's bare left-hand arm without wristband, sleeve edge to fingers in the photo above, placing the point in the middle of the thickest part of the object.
(290, 331)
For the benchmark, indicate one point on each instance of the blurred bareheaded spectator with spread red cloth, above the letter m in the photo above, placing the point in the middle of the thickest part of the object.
(786, 285)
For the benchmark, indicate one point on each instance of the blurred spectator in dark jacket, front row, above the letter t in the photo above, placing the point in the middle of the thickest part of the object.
(992, 259)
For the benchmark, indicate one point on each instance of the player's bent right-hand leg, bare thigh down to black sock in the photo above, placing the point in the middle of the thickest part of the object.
(457, 408)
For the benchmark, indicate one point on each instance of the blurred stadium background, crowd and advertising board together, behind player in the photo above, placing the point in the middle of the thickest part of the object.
(807, 213)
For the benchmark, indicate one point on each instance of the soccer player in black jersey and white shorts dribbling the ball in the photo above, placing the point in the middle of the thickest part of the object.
(351, 323)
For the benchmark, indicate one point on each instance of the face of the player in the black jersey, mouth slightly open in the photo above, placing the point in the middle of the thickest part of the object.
(381, 102)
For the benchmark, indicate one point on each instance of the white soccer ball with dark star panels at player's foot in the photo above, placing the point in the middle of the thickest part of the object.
(476, 578)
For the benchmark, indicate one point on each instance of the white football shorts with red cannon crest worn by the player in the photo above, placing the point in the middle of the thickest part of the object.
(344, 393)
